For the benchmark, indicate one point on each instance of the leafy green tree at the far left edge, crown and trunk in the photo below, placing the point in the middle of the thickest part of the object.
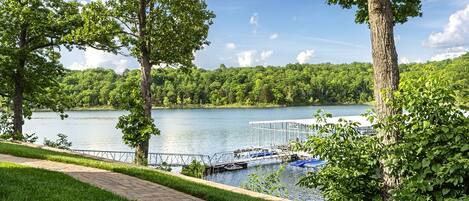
(32, 33)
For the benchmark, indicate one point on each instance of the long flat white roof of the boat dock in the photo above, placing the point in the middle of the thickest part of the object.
(313, 121)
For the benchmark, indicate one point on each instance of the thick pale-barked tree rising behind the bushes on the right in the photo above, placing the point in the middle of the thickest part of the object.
(382, 16)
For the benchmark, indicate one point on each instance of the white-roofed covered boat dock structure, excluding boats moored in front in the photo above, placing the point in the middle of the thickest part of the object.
(278, 133)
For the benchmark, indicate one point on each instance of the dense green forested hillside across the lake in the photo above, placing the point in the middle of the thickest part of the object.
(293, 84)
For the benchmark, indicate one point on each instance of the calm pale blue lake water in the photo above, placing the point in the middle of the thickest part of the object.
(204, 131)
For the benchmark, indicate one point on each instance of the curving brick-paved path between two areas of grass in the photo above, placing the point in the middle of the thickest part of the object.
(127, 186)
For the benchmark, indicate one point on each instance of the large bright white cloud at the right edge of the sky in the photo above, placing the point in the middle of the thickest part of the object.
(455, 33)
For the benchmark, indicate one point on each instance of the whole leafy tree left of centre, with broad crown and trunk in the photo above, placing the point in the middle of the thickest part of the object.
(156, 32)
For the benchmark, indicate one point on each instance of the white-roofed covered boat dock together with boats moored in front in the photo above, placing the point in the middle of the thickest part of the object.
(274, 137)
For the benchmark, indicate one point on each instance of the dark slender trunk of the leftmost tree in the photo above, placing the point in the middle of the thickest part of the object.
(18, 96)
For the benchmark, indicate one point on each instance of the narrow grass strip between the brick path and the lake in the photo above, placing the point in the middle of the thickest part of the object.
(196, 189)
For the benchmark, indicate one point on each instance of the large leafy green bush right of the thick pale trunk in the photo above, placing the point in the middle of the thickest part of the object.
(432, 156)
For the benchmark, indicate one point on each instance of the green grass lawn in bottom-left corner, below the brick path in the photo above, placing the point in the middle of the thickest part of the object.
(19, 182)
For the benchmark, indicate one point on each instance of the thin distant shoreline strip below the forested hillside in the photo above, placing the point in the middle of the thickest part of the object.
(206, 106)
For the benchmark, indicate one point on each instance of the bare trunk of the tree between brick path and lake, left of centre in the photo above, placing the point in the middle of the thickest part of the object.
(141, 151)
